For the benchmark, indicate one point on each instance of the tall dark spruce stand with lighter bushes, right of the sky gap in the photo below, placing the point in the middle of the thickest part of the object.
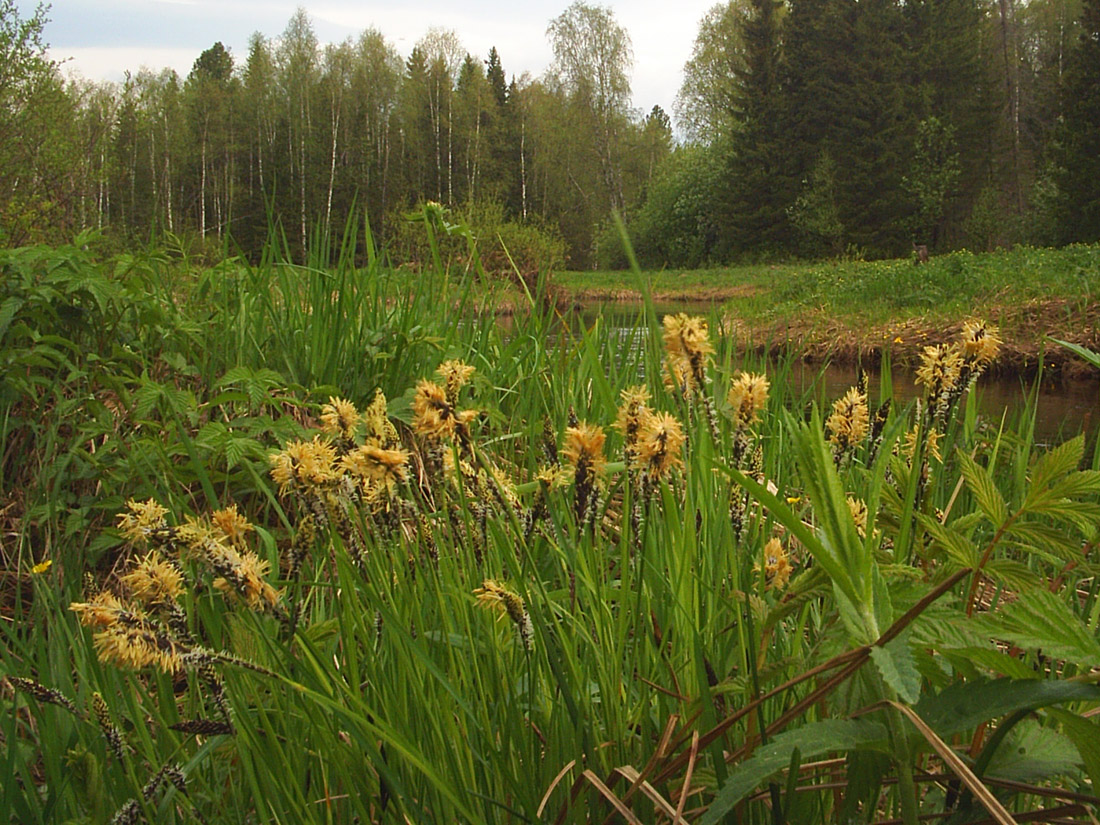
(832, 127)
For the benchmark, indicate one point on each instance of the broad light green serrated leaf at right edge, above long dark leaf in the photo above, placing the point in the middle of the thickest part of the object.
(1042, 621)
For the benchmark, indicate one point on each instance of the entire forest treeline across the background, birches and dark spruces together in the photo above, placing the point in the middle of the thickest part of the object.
(812, 128)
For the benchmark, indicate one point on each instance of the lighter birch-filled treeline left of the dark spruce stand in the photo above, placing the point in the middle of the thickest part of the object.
(306, 134)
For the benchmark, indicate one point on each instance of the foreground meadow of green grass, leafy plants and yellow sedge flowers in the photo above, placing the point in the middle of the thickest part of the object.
(317, 544)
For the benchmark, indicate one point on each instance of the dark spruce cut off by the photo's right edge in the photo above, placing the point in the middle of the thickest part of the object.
(1080, 178)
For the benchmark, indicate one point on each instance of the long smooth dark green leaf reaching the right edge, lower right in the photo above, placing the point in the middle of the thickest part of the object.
(965, 706)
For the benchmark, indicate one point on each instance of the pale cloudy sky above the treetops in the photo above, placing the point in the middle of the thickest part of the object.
(101, 40)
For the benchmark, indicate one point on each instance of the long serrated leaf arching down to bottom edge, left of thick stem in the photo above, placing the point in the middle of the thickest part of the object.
(812, 741)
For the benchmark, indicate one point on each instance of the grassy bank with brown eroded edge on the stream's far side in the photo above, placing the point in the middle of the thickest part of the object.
(857, 311)
